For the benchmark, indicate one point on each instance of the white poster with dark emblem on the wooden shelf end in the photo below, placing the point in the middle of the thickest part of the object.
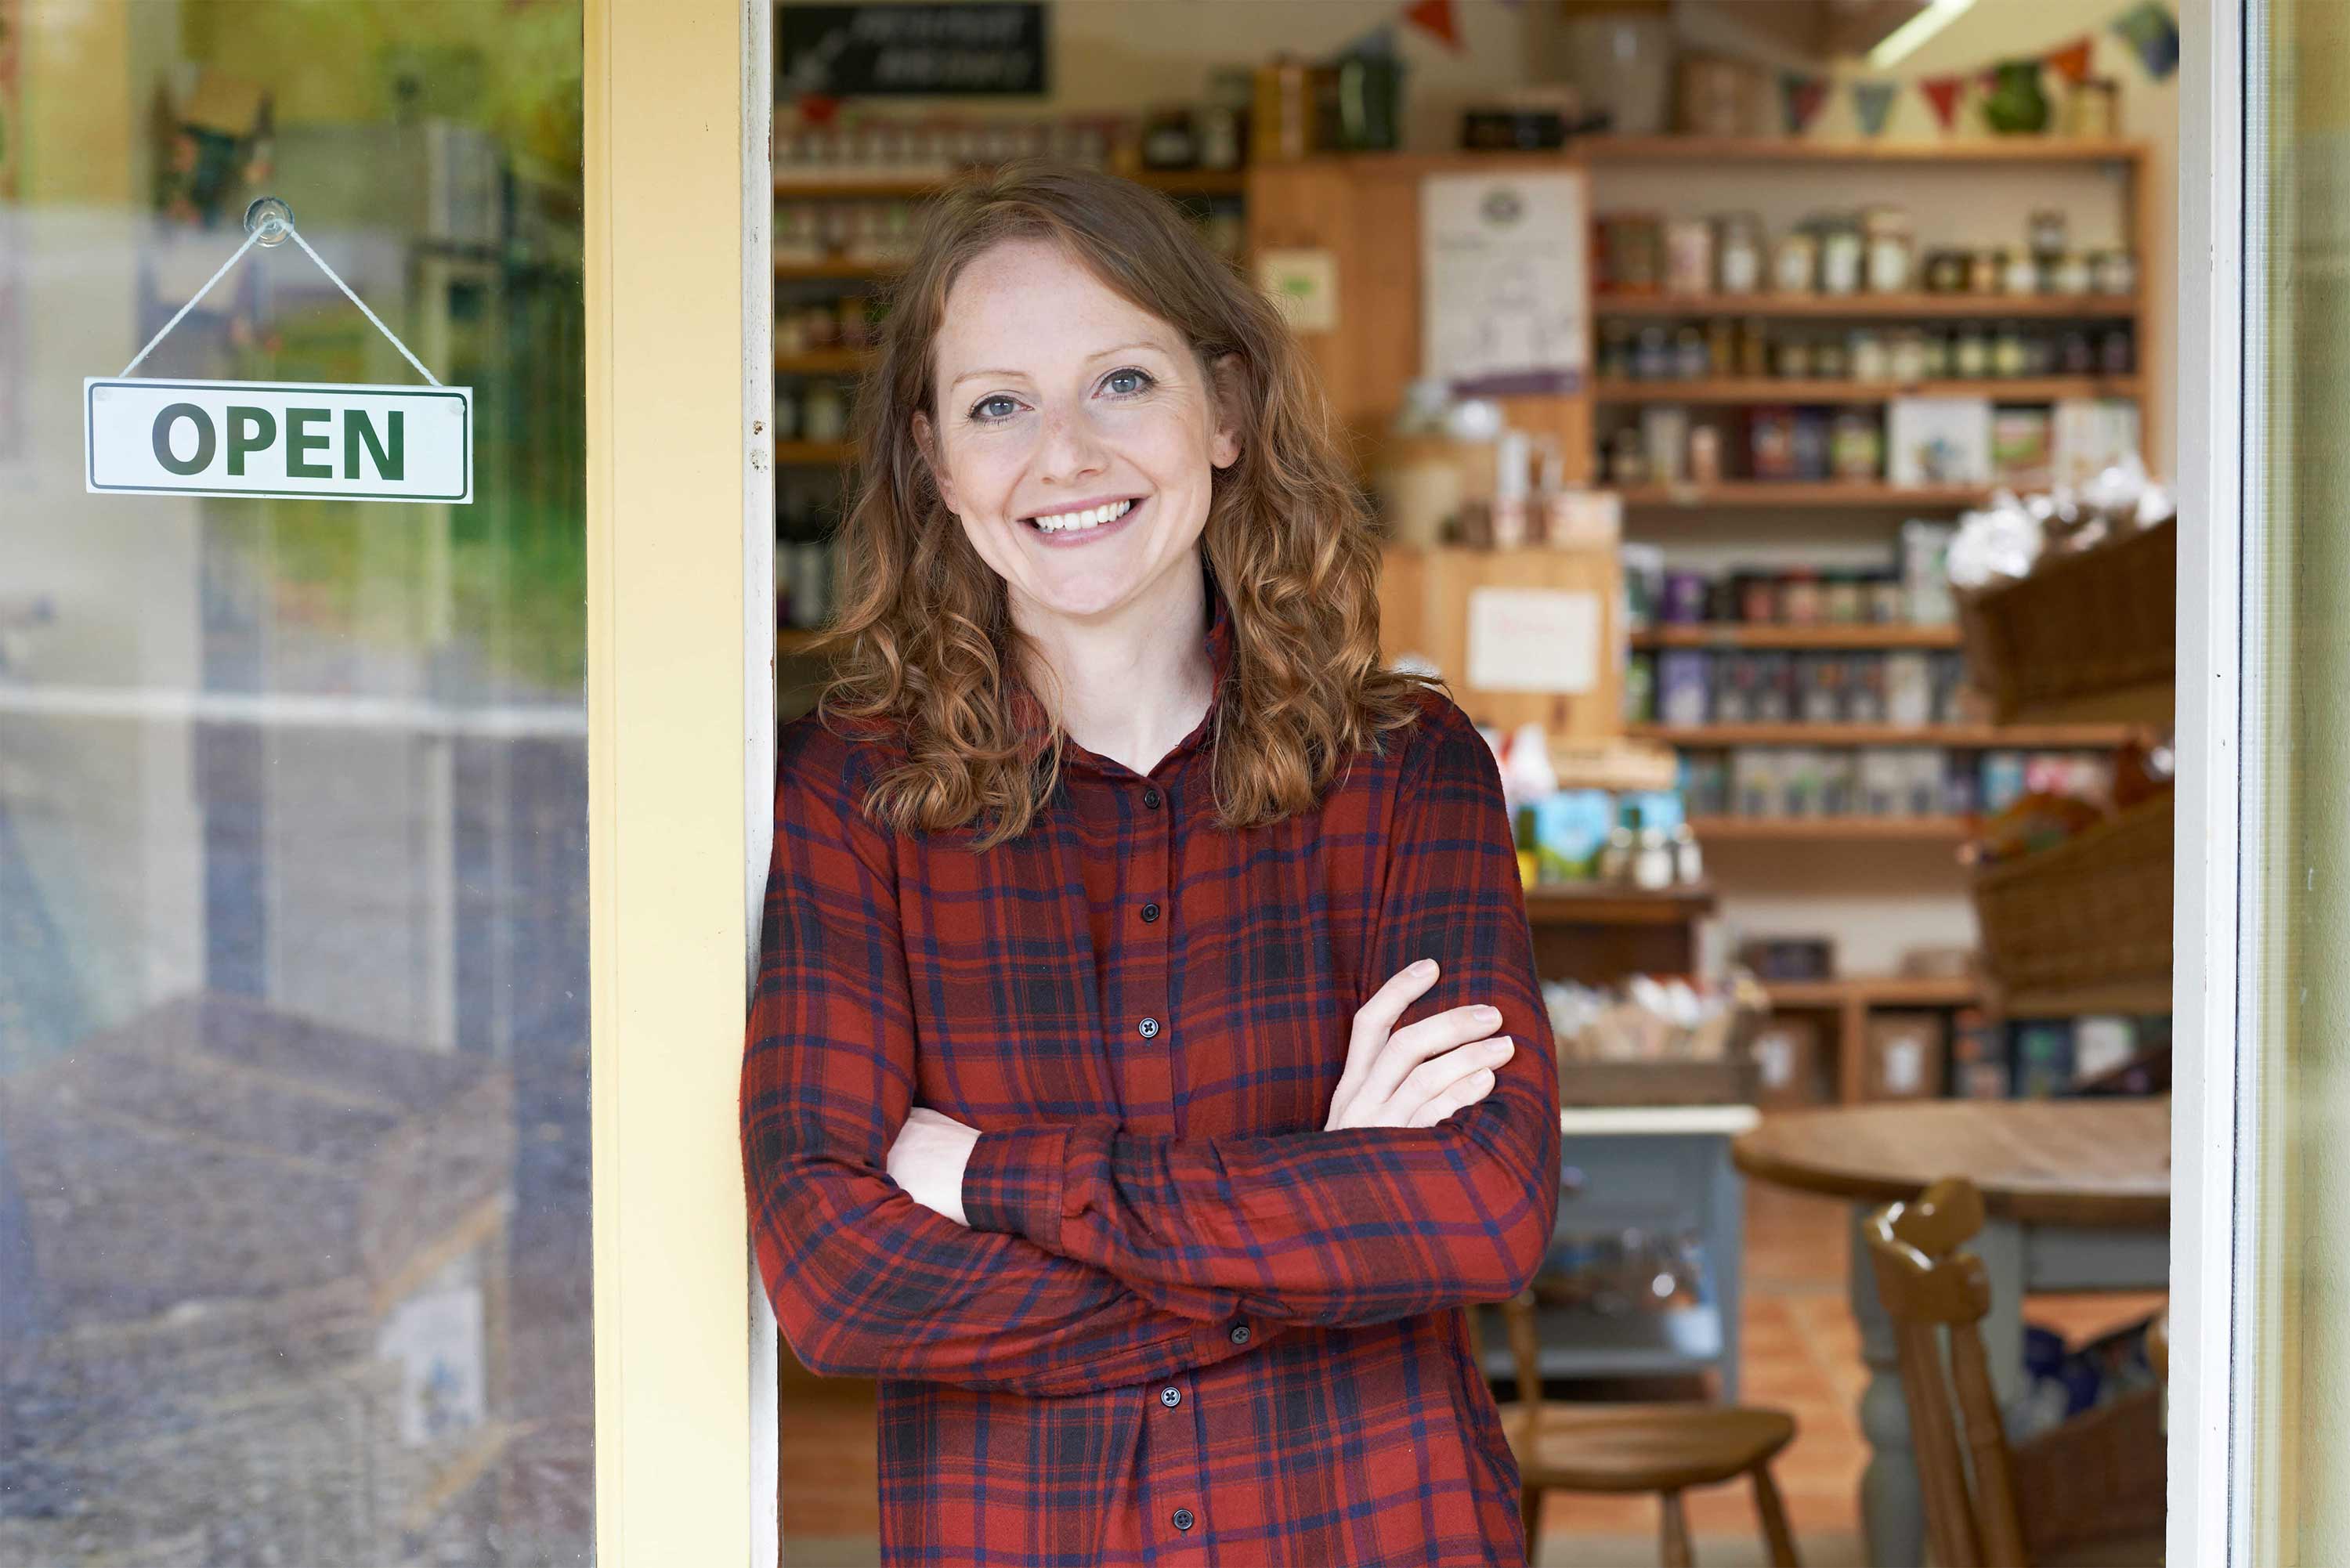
(1503, 297)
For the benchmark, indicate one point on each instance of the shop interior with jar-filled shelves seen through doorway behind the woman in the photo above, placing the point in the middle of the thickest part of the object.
(1768, 413)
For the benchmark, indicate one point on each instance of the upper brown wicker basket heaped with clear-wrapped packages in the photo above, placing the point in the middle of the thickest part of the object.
(2081, 626)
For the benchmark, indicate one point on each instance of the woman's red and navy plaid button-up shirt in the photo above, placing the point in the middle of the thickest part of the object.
(1186, 1325)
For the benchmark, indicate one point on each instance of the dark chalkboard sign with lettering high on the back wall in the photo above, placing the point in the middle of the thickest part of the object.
(911, 51)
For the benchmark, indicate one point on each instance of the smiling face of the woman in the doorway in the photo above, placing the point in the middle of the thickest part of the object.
(1061, 403)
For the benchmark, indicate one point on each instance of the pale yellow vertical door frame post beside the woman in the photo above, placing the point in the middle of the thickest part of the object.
(680, 709)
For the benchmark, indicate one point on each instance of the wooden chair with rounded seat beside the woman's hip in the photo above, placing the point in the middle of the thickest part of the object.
(1634, 1449)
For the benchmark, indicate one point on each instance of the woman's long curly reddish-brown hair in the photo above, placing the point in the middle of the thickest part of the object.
(922, 629)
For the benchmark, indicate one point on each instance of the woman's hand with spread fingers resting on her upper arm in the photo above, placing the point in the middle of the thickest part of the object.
(1423, 1073)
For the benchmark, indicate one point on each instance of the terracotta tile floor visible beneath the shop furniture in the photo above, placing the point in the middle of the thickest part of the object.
(1801, 1353)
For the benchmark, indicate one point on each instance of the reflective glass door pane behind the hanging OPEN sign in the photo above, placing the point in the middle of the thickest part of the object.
(295, 1036)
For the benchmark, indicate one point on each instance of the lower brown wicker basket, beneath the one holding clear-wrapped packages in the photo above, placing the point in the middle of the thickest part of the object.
(2093, 911)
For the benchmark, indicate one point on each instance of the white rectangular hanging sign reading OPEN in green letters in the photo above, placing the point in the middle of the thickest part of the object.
(278, 438)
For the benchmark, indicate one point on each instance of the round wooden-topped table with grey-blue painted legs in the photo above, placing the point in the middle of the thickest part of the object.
(2079, 1198)
